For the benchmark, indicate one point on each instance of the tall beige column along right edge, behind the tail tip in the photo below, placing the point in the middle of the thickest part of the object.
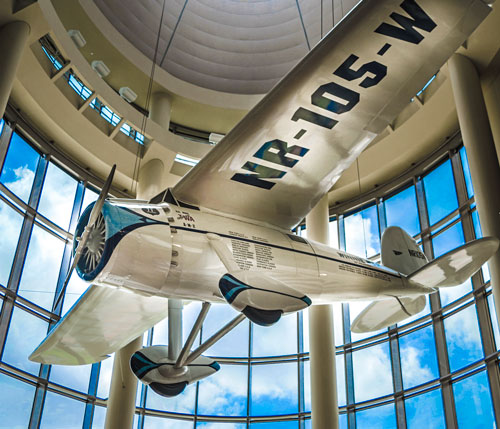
(481, 153)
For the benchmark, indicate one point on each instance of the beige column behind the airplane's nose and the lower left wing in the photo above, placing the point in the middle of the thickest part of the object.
(123, 390)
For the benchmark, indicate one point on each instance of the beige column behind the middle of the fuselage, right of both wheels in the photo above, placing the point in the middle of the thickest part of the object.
(324, 402)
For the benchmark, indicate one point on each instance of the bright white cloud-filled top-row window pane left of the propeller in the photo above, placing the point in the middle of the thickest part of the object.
(58, 196)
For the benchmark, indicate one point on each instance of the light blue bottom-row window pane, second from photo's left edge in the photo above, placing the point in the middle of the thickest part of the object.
(58, 409)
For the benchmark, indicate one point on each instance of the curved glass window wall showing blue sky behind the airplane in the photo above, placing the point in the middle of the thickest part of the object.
(438, 369)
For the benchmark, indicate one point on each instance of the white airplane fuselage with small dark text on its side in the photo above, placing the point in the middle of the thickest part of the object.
(170, 255)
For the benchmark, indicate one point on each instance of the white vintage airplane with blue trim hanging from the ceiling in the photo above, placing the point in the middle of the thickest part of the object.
(223, 233)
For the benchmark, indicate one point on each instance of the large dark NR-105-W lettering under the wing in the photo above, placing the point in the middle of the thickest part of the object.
(283, 154)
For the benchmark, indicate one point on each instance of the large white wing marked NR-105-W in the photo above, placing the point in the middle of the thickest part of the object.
(295, 143)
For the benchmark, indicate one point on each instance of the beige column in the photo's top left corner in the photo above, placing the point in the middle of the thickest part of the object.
(13, 38)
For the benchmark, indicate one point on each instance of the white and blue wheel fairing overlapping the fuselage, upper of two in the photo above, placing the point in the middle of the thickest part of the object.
(260, 297)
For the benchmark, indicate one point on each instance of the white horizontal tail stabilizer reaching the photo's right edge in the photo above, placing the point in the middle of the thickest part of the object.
(457, 266)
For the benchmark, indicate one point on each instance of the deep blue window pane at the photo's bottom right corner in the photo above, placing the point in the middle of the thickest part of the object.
(473, 402)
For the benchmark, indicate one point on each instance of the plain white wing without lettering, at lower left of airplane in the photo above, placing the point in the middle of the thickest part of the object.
(102, 321)
